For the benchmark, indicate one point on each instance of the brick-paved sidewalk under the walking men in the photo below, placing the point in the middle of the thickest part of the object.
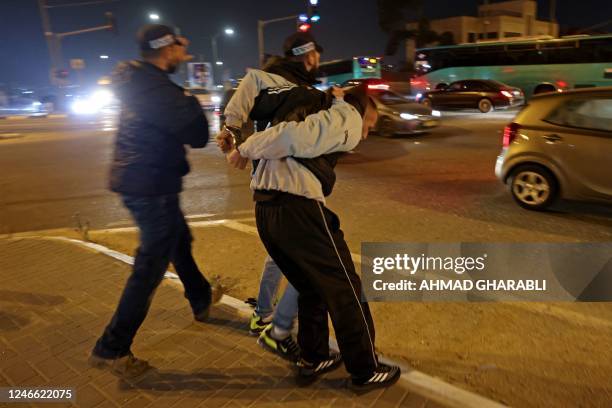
(55, 299)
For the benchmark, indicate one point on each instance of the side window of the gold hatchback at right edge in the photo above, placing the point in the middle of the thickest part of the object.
(593, 113)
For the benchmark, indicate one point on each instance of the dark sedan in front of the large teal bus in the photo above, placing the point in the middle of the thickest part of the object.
(484, 95)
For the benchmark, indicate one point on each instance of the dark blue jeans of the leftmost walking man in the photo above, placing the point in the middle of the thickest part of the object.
(164, 239)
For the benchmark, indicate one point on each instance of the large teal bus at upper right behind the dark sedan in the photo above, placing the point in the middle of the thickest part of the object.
(533, 65)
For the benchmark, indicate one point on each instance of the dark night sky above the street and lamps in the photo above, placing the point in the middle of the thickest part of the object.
(347, 28)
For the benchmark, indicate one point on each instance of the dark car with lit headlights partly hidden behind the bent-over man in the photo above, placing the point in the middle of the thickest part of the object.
(398, 115)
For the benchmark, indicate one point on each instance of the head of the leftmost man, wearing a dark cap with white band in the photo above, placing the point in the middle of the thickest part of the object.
(160, 46)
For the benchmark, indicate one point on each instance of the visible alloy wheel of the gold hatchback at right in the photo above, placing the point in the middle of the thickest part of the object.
(533, 187)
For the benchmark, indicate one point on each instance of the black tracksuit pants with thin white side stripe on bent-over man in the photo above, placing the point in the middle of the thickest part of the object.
(304, 239)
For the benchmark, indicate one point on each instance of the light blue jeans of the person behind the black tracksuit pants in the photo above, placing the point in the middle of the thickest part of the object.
(286, 309)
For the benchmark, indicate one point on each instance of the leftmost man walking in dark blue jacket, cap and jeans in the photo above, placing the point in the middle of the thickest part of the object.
(157, 120)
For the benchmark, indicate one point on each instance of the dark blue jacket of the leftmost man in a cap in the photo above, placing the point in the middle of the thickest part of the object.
(157, 120)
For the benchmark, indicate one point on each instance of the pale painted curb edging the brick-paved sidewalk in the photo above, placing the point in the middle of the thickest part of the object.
(425, 385)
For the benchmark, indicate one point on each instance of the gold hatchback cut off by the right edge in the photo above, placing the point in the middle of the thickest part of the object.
(560, 145)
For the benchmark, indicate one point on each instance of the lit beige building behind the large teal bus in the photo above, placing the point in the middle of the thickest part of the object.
(495, 21)
